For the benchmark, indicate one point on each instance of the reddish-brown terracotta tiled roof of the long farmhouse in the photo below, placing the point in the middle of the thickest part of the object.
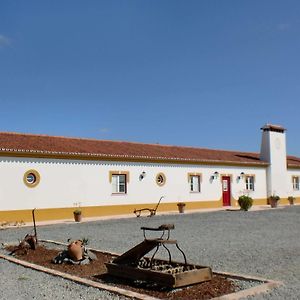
(43, 144)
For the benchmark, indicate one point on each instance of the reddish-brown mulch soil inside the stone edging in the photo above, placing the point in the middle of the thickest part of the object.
(96, 271)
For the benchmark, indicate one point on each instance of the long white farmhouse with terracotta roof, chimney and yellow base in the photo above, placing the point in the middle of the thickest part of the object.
(55, 174)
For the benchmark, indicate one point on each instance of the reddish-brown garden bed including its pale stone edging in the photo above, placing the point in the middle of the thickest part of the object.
(222, 284)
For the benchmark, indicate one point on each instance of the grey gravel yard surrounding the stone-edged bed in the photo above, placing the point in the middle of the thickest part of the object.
(259, 243)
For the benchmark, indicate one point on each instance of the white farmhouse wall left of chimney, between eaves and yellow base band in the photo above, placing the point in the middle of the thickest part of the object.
(66, 182)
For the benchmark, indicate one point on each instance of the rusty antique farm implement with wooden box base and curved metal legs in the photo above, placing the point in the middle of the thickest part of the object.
(134, 265)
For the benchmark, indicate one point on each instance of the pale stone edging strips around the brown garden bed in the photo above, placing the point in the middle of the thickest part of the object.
(264, 287)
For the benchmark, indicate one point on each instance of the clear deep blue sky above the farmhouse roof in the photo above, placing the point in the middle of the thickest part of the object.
(195, 73)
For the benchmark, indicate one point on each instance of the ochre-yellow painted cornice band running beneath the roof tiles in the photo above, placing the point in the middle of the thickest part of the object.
(93, 157)
